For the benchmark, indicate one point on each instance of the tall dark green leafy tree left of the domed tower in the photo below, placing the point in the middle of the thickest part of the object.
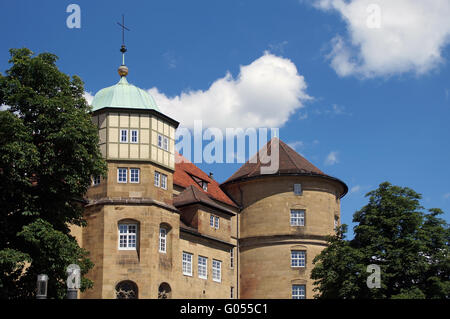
(48, 153)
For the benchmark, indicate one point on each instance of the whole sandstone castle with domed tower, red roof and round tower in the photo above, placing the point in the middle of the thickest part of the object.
(159, 227)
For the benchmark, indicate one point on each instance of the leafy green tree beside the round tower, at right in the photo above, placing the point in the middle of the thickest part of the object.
(393, 231)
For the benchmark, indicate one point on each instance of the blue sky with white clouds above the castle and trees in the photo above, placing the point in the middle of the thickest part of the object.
(379, 98)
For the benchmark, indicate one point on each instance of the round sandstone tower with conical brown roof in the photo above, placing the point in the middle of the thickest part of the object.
(285, 216)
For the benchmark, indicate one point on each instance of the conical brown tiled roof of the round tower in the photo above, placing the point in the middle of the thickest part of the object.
(290, 162)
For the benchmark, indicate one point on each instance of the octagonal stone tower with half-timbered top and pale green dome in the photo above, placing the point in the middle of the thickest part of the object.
(128, 208)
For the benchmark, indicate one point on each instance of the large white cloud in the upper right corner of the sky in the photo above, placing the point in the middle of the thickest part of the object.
(410, 38)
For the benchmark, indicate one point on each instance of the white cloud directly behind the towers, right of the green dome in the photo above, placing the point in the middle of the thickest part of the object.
(264, 94)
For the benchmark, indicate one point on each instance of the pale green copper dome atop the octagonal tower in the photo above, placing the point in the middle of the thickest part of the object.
(123, 95)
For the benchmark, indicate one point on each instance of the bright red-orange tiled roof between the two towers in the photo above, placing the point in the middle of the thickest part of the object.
(183, 176)
